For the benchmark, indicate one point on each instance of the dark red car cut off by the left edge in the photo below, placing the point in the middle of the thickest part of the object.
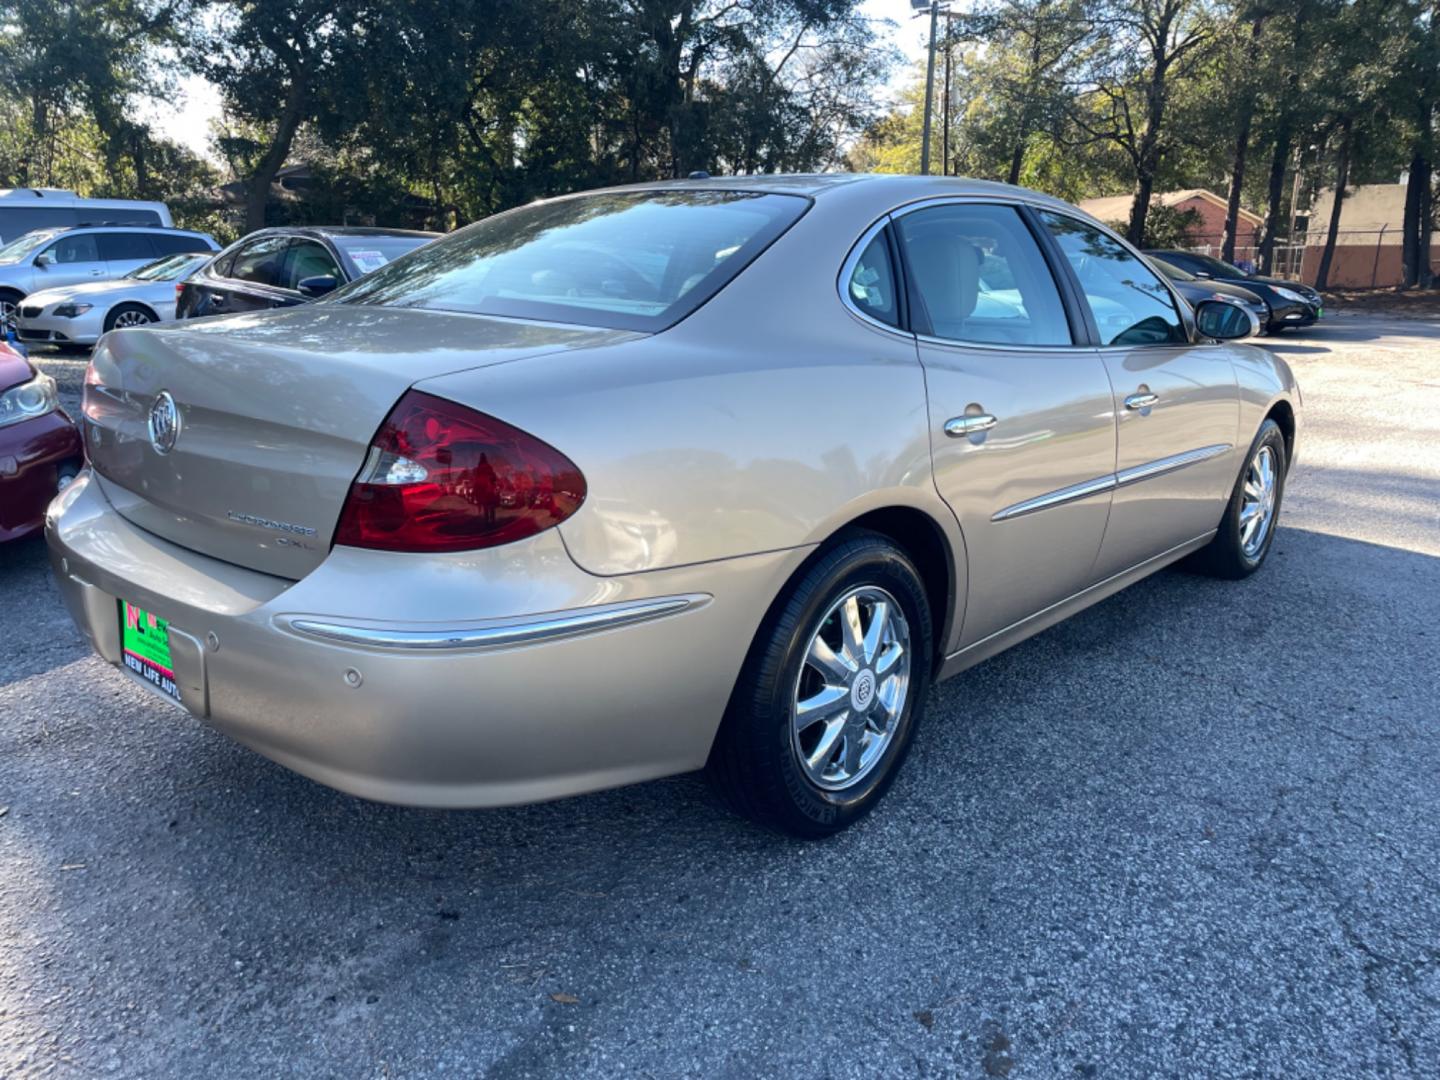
(41, 451)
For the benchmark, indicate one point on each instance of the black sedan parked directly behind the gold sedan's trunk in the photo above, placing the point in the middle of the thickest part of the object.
(277, 269)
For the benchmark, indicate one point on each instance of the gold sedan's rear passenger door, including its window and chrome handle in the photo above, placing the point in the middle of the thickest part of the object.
(1022, 420)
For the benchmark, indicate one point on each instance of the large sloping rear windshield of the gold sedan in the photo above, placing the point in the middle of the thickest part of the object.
(624, 260)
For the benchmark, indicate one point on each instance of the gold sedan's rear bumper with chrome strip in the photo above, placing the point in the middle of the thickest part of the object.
(474, 680)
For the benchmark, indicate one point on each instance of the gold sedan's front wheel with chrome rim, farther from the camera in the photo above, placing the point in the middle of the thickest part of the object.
(1248, 529)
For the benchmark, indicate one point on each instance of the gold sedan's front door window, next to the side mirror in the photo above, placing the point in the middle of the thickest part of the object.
(1130, 303)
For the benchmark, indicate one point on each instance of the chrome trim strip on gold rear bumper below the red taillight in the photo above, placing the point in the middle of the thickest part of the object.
(498, 634)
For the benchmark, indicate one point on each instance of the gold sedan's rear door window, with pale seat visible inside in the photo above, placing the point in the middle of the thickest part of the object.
(981, 277)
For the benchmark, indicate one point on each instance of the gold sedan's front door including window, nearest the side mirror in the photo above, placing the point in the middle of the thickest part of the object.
(1176, 401)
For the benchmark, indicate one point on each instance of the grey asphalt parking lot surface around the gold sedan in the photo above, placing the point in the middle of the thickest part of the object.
(1194, 832)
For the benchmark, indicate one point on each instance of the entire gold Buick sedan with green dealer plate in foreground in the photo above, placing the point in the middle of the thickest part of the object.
(703, 474)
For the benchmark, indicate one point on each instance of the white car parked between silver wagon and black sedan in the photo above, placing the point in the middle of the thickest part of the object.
(80, 315)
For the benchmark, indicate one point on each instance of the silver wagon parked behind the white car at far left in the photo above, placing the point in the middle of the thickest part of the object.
(51, 258)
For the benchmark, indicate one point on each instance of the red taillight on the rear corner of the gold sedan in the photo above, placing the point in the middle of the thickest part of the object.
(441, 477)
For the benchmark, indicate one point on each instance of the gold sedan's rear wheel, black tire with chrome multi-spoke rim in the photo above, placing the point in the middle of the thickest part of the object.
(832, 693)
